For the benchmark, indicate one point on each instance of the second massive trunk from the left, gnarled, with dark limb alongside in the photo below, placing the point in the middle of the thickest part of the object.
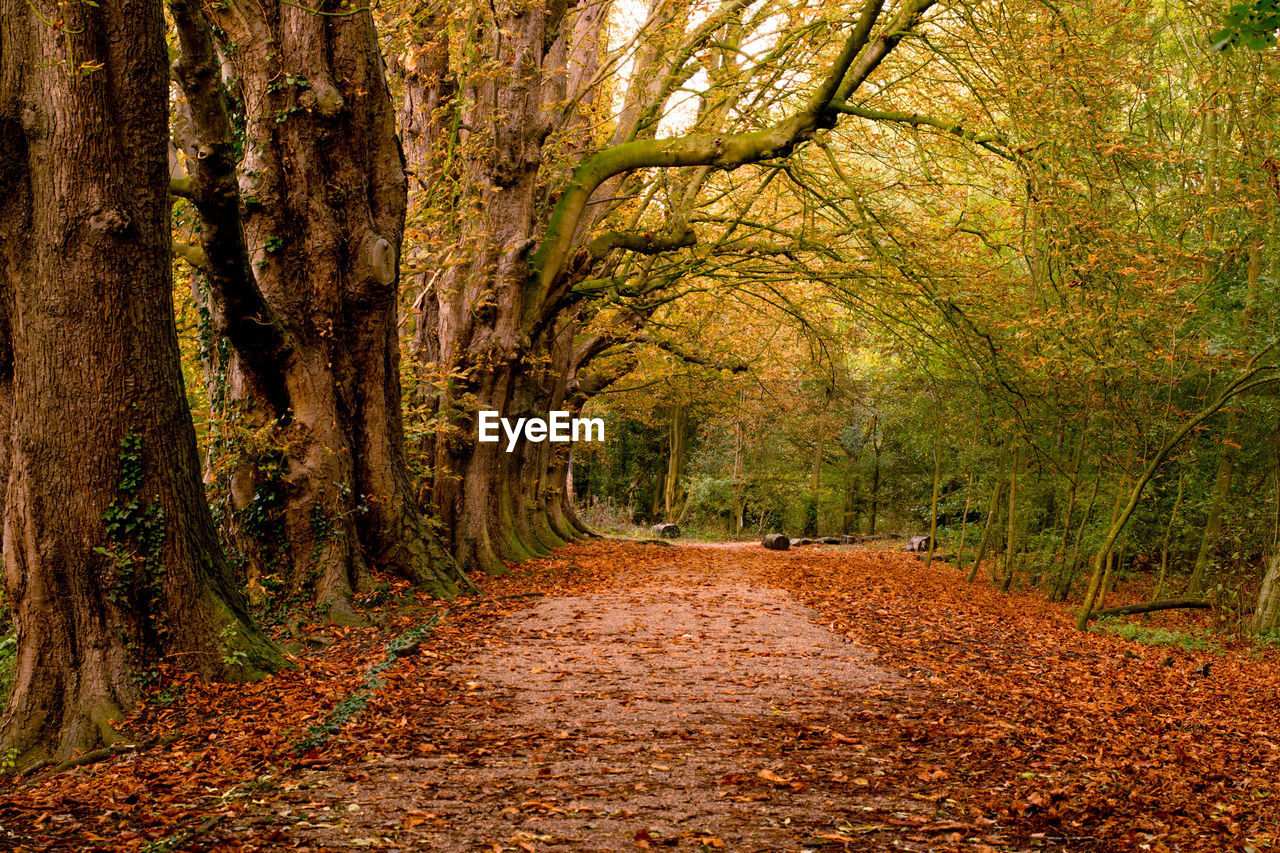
(322, 206)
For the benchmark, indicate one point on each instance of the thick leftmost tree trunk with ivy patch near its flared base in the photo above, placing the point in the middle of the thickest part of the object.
(112, 560)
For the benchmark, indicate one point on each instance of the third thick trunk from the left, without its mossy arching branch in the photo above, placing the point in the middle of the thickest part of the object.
(473, 334)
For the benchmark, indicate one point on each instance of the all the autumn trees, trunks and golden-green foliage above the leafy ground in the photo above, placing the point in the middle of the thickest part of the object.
(999, 273)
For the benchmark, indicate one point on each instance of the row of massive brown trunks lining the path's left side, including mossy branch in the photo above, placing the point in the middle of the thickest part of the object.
(285, 145)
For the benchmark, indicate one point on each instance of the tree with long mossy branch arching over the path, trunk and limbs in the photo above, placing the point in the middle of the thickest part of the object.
(542, 235)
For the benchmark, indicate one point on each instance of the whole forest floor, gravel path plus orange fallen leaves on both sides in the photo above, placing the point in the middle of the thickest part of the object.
(623, 697)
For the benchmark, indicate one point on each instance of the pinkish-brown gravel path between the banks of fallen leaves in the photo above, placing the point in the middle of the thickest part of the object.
(676, 710)
